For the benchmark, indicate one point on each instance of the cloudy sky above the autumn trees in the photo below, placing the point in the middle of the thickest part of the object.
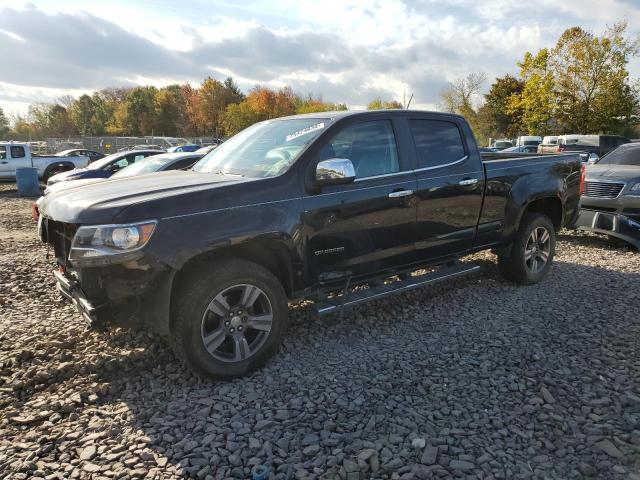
(344, 50)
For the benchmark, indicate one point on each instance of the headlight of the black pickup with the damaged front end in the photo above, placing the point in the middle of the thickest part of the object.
(104, 240)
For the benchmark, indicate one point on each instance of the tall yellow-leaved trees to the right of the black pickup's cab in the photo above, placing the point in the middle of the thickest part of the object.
(581, 85)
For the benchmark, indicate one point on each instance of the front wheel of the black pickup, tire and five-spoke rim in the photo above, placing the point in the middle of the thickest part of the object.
(229, 319)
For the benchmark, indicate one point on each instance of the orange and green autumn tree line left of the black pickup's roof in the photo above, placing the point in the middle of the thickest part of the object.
(213, 108)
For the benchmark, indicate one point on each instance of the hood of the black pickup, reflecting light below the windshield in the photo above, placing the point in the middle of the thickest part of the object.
(102, 202)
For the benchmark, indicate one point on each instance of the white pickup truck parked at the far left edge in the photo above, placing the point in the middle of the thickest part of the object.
(15, 155)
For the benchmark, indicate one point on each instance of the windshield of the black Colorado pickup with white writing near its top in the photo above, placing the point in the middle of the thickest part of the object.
(266, 149)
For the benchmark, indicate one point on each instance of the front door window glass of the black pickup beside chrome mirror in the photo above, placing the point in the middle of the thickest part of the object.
(371, 147)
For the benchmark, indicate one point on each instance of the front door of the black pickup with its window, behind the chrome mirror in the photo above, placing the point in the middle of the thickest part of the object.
(365, 226)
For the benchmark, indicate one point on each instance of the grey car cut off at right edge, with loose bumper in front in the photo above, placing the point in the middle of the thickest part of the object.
(611, 200)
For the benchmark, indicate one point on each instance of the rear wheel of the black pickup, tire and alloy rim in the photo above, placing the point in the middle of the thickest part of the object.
(532, 251)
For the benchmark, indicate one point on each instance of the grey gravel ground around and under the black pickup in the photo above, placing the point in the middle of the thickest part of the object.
(473, 379)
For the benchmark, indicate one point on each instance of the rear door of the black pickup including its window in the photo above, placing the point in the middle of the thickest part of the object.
(450, 183)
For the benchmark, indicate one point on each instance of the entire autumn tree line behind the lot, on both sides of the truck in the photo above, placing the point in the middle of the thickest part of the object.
(581, 85)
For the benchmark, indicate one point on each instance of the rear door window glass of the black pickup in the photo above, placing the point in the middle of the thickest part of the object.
(437, 142)
